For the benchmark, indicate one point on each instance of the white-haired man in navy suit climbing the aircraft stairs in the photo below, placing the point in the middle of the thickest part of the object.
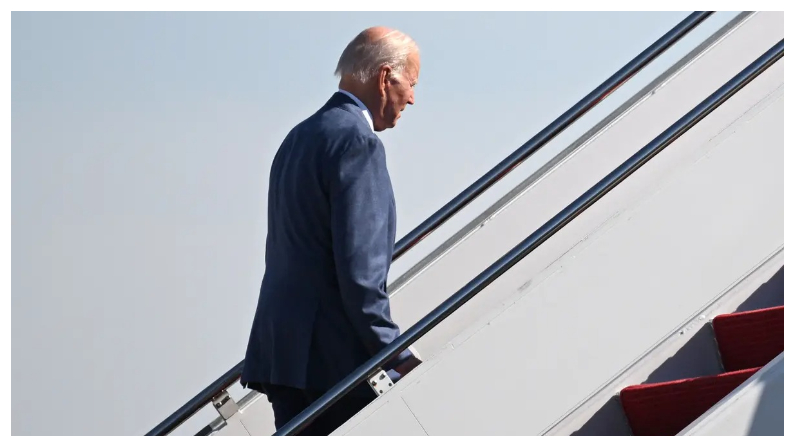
(323, 309)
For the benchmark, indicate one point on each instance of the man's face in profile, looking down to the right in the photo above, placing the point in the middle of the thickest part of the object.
(397, 93)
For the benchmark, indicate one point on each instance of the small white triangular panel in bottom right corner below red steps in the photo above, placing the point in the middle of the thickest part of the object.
(756, 408)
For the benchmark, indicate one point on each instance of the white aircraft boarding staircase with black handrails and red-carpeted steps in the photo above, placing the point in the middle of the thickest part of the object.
(572, 329)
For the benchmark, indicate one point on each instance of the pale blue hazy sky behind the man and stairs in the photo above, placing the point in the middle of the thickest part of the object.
(141, 144)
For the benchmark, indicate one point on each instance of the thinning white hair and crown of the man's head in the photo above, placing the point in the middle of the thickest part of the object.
(362, 58)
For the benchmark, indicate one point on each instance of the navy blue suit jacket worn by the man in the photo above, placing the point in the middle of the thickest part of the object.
(323, 307)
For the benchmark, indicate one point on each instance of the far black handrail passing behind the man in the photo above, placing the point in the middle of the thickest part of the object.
(476, 189)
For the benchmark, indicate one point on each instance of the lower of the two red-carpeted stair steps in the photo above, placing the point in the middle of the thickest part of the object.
(665, 409)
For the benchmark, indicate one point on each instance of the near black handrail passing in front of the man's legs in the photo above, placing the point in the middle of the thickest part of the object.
(538, 237)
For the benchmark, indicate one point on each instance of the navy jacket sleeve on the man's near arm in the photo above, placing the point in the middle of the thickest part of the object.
(361, 199)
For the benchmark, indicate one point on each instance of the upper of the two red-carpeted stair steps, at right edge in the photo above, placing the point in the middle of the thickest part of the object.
(749, 339)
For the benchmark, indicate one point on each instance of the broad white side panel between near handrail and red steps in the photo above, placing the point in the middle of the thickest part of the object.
(695, 225)
